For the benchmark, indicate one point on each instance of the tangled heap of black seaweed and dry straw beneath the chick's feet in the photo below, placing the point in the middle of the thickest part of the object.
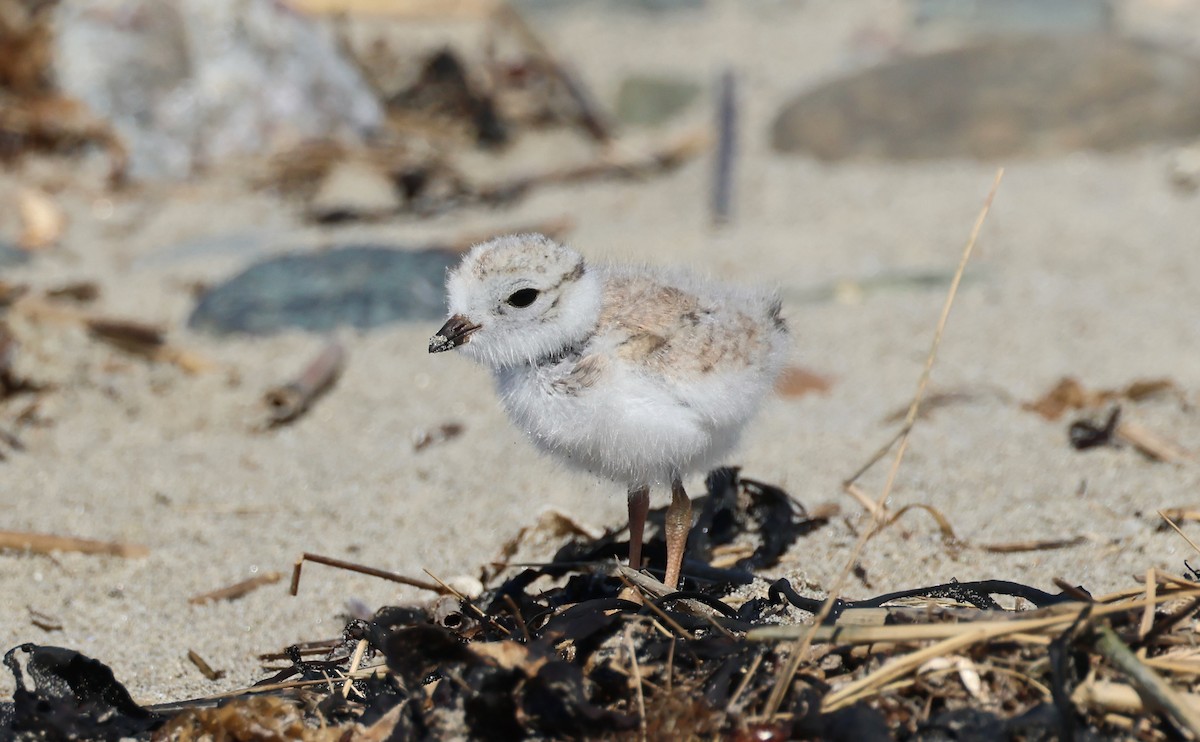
(589, 647)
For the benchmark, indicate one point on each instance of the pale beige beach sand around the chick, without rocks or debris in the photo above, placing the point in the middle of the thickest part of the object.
(1089, 267)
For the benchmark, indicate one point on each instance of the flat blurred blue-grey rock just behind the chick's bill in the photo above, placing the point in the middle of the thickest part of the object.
(362, 288)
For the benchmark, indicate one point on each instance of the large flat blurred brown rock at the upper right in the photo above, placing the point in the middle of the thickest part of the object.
(1000, 99)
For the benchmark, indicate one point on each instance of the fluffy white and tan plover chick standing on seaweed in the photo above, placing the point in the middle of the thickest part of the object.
(635, 374)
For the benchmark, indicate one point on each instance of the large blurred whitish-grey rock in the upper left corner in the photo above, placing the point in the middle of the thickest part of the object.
(187, 83)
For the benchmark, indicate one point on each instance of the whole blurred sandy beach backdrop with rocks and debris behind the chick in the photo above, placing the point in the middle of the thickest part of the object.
(225, 228)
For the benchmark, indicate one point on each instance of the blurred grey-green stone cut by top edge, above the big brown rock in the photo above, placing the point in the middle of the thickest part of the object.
(993, 17)
